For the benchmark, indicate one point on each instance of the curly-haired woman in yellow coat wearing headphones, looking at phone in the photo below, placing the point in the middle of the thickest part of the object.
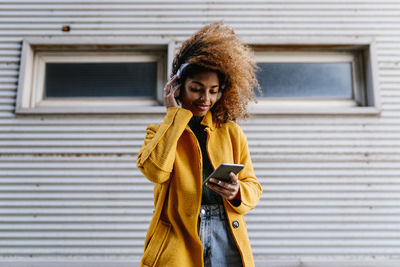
(196, 224)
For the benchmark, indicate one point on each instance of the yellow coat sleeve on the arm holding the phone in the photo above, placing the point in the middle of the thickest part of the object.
(250, 188)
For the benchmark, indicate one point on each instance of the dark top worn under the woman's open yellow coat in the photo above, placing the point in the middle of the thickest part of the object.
(208, 195)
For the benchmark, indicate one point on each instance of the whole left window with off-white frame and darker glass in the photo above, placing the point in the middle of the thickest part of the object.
(91, 78)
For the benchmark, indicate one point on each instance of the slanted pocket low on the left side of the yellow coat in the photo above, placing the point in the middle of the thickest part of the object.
(156, 245)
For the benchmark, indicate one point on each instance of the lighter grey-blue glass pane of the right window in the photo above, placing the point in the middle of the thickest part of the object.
(306, 80)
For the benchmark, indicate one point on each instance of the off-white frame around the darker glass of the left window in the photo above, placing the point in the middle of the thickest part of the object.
(39, 51)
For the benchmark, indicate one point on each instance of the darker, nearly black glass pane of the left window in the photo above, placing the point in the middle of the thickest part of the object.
(101, 79)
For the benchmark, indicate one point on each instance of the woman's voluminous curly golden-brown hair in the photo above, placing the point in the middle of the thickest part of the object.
(215, 47)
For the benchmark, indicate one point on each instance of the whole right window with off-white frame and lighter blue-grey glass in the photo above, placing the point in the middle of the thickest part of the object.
(316, 79)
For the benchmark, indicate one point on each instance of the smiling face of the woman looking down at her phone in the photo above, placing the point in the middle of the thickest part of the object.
(200, 92)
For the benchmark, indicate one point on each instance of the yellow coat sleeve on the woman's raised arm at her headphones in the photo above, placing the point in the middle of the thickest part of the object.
(157, 155)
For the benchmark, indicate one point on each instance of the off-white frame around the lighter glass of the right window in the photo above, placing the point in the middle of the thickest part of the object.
(359, 51)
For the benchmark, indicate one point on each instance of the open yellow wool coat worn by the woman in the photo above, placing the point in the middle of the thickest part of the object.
(171, 158)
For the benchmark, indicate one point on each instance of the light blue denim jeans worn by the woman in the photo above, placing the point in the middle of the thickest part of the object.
(220, 249)
